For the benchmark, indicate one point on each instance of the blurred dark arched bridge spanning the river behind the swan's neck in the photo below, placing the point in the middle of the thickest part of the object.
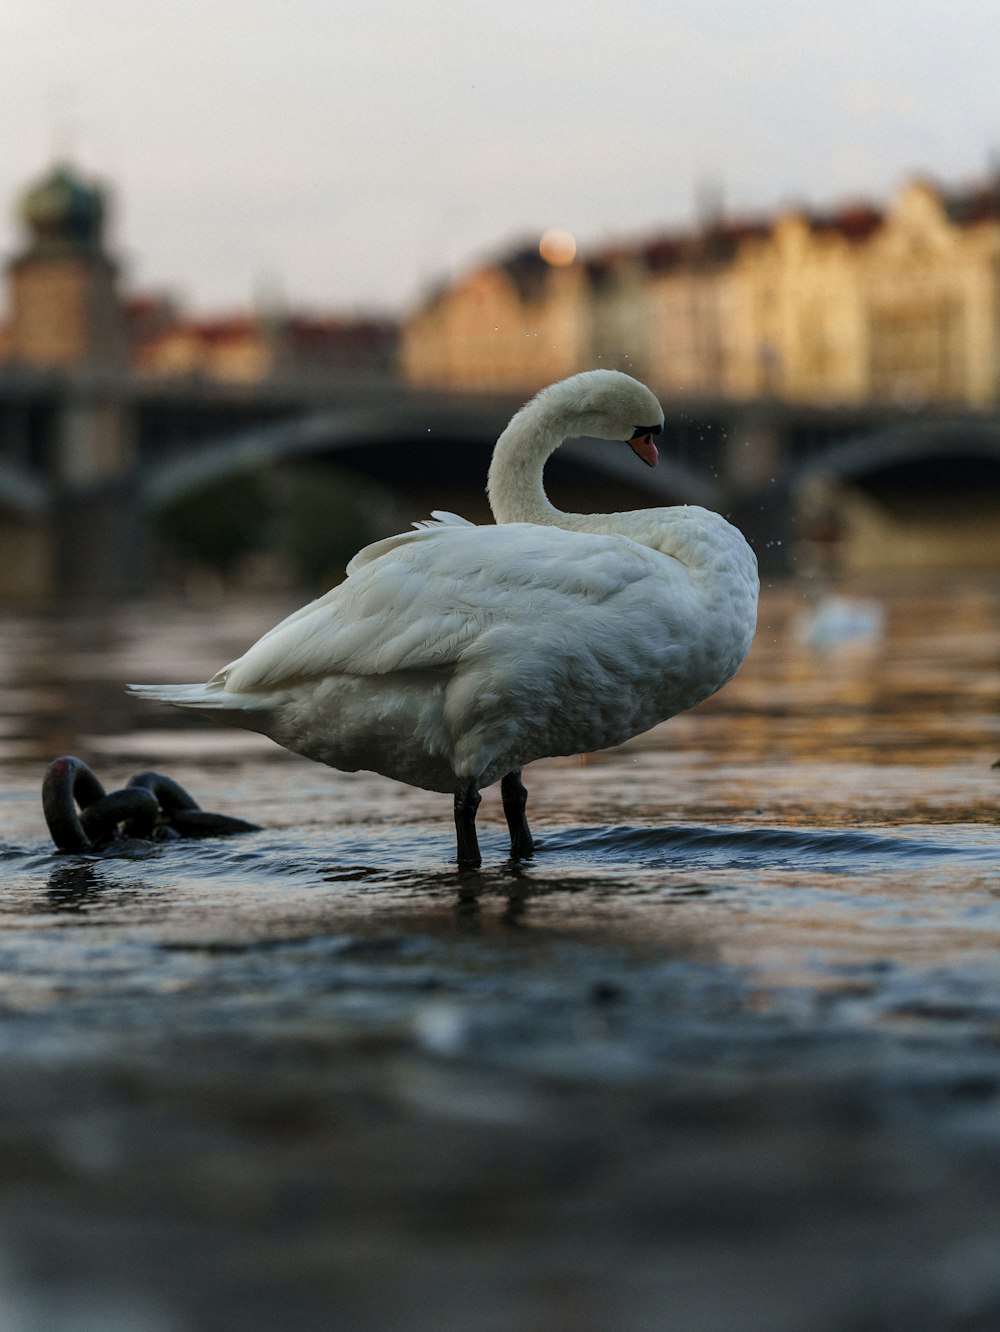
(86, 460)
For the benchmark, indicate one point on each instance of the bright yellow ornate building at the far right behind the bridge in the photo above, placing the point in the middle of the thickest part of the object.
(866, 307)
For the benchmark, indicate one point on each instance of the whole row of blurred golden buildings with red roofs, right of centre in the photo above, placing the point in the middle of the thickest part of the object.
(861, 306)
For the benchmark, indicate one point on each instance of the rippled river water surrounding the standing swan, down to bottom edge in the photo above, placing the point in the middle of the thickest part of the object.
(730, 1045)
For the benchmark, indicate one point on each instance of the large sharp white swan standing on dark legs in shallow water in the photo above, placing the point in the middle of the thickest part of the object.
(453, 655)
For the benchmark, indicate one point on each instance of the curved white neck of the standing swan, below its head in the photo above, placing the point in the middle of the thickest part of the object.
(515, 487)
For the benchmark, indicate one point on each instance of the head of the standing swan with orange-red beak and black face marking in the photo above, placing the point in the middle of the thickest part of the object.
(611, 406)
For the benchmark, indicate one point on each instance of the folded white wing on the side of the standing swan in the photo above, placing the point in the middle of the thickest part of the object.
(416, 603)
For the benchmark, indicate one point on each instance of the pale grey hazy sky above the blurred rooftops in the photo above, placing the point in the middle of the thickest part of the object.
(338, 157)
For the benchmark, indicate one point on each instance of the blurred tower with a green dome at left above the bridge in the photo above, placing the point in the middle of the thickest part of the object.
(65, 306)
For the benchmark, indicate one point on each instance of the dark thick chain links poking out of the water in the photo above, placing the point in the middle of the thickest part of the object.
(83, 817)
